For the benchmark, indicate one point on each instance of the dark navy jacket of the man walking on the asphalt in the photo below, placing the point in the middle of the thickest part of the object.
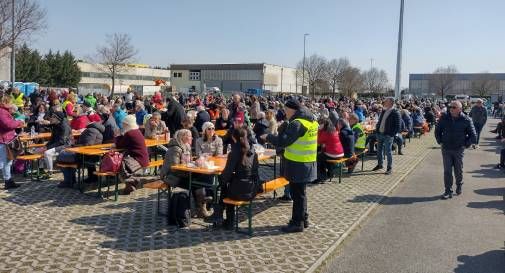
(455, 133)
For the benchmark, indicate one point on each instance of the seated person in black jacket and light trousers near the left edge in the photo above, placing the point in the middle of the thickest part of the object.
(61, 136)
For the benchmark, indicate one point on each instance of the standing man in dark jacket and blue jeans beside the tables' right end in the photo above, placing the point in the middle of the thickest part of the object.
(387, 127)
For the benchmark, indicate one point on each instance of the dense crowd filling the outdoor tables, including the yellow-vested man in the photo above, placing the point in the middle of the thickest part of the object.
(306, 132)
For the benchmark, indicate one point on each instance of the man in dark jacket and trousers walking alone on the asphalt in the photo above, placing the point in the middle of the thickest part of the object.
(454, 131)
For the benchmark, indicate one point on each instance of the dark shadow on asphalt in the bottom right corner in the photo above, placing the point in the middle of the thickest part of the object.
(488, 262)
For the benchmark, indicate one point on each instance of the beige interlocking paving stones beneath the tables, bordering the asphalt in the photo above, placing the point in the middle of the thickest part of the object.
(47, 229)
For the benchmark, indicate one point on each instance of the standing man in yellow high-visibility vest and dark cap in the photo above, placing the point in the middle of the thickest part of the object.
(299, 141)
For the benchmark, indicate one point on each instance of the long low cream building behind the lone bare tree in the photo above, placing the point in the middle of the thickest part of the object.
(139, 78)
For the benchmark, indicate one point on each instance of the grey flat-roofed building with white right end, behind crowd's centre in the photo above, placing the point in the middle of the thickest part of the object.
(234, 77)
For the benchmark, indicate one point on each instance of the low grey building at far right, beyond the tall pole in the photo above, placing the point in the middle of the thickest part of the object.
(471, 84)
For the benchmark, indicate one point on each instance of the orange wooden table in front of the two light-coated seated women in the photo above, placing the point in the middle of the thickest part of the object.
(215, 171)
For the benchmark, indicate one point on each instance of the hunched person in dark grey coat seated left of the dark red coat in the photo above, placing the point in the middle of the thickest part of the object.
(92, 135)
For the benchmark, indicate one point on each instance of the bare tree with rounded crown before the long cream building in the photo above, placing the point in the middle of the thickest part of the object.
(114, 56)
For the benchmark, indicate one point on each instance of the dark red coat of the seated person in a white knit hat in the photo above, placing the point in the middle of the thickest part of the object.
(134, 143)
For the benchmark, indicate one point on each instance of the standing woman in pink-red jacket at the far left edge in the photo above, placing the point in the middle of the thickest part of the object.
(7, 134)
